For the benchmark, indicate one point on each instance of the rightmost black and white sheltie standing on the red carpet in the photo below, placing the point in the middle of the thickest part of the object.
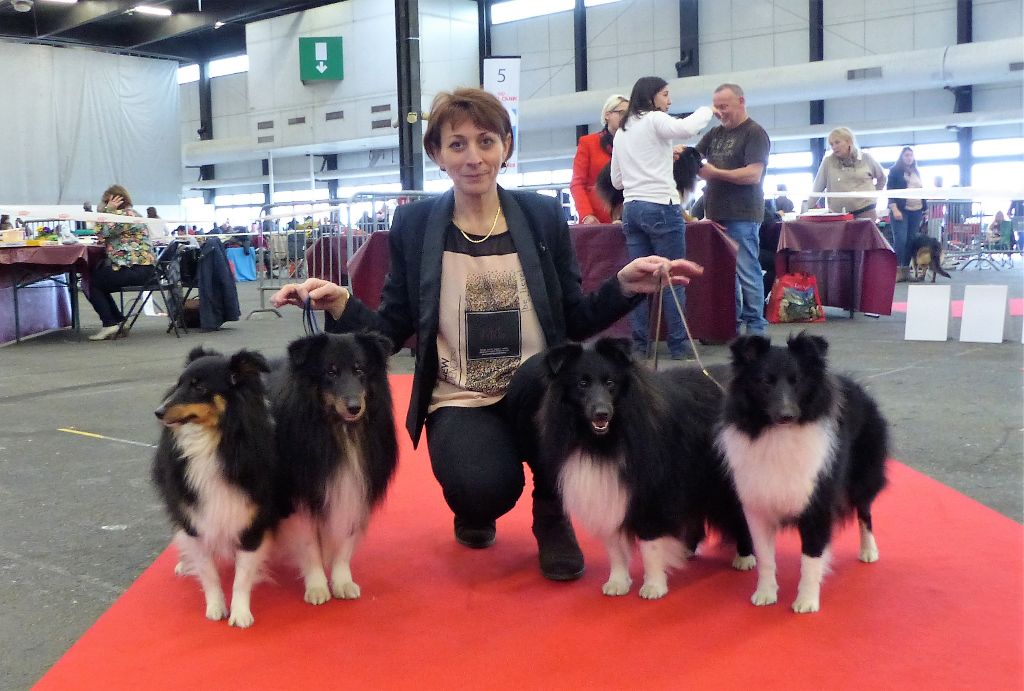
(805, 448)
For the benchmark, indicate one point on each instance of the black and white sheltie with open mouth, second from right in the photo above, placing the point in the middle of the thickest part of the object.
(635, 457)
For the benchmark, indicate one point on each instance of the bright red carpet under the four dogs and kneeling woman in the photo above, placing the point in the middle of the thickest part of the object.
(944, 609)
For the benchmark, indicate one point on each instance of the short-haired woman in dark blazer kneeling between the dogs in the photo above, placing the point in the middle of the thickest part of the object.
(486, 279)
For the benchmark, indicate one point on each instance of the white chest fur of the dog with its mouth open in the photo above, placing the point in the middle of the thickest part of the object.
(593, 494)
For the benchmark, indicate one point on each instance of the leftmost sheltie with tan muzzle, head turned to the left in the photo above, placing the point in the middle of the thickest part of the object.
(218, 472)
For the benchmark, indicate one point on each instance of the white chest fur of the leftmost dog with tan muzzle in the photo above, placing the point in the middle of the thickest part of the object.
(224, 510)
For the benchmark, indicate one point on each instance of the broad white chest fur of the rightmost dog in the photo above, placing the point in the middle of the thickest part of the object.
(777, 473)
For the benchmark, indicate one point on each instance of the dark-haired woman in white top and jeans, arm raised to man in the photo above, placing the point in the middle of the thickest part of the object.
(653, 219)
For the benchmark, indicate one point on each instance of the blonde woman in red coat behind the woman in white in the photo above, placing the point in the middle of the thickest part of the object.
(593, 154)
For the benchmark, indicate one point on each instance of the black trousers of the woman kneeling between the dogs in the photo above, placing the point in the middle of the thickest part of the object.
(478, 454)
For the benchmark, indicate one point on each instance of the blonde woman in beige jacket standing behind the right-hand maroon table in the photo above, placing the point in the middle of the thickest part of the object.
(848, 169)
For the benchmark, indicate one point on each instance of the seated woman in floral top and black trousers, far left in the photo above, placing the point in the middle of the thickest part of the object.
(131, 262)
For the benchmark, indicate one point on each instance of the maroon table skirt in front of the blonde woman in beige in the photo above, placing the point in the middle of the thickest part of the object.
(854, 264)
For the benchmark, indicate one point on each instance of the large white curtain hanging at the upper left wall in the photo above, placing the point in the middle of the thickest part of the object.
(76, 121)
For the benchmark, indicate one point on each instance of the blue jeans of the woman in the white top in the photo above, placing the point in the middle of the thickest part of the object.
(659, 230)
